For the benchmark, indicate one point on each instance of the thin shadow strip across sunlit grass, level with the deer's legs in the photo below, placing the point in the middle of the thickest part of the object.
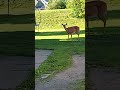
(54, 33)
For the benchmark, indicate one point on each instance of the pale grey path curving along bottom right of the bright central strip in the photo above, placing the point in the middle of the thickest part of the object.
(62, 80)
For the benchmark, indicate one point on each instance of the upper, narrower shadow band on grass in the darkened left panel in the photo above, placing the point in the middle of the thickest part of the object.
(17, 19)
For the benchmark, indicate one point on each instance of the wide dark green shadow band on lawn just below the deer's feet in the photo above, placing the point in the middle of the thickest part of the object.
(73, 43)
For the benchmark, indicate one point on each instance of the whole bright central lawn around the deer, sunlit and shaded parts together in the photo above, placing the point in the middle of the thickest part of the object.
(52, 36)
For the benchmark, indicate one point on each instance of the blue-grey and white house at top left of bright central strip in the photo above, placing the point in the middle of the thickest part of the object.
(41, 4)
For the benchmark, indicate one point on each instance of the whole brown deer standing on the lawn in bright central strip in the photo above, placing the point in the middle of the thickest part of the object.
(71, 30)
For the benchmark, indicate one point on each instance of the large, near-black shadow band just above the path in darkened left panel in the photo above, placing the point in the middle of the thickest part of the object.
(17, 43)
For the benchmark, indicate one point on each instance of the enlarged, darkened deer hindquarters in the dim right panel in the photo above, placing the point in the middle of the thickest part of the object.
(95, 9)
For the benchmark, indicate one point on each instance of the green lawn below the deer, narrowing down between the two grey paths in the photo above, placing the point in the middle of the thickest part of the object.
(61, 57)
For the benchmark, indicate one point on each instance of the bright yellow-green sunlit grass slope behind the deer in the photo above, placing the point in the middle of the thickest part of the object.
(52, 19)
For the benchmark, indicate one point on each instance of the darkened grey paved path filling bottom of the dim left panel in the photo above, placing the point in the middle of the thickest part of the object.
(14, 70)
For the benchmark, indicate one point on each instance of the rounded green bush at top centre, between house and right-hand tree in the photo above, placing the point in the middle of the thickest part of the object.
(57, 4)
